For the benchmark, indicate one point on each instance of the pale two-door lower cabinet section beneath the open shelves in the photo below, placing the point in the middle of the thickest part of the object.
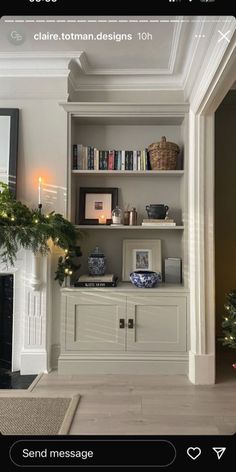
(146, 330)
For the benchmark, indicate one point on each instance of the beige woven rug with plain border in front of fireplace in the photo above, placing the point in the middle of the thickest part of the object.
(31, 415)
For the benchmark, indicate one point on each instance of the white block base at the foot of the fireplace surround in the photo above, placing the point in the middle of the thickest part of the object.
(34, 362)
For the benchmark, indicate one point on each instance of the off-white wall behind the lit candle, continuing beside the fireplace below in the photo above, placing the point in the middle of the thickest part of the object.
(42, 150)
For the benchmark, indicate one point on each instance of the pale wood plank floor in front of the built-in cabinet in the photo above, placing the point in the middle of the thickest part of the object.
(158, 405)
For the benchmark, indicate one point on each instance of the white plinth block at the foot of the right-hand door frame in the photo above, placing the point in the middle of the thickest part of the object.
(201, 368)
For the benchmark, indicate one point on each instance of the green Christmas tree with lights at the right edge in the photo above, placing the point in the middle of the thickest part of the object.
(229, 322)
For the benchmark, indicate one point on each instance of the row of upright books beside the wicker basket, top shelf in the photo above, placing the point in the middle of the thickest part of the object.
(90, 158)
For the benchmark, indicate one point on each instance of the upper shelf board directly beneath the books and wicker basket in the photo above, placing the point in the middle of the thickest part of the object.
(134, 173)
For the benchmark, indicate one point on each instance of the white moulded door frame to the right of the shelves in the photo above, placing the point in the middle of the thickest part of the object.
(201, 217)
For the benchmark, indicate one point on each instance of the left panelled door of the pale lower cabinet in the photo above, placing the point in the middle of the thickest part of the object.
(95, 322)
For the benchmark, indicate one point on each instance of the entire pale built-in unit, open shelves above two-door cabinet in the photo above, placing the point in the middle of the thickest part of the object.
(126, 329)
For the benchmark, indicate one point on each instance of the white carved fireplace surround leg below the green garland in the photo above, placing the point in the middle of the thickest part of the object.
(31, 312)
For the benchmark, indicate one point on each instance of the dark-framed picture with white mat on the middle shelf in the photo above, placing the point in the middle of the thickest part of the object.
(96, 205)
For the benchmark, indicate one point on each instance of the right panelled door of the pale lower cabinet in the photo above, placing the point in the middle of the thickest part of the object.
(156, 323)
